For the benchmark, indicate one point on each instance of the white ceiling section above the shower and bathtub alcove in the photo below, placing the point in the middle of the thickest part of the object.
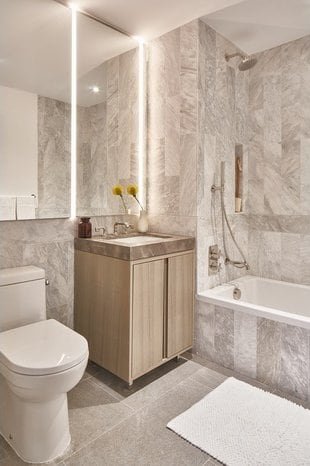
(256, 25)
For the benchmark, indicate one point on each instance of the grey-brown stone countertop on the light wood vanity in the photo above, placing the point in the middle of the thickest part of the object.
(103, 246)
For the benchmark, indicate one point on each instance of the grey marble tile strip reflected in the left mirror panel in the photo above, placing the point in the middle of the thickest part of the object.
(54, 158)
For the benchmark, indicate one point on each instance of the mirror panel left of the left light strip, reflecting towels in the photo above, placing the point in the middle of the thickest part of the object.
(35, 91)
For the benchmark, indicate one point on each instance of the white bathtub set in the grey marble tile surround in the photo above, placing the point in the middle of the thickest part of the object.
(272, 299)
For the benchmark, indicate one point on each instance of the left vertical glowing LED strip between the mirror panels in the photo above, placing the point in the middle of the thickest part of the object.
(73, 108)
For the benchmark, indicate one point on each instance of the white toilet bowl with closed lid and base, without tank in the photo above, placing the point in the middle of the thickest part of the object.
(39, 364)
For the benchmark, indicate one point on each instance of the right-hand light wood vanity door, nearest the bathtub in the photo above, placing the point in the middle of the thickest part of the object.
(180, 301)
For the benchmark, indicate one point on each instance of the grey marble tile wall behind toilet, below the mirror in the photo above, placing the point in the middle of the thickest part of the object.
(47, 244)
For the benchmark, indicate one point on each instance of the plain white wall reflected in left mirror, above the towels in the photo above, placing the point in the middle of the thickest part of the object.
(18, 142)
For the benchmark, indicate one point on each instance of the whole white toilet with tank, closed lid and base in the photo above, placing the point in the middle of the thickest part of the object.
(40, 361)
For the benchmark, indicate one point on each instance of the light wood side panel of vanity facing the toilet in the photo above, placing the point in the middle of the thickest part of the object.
(102, 309)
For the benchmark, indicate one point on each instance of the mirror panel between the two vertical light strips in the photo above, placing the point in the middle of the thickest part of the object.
(107, 117)
